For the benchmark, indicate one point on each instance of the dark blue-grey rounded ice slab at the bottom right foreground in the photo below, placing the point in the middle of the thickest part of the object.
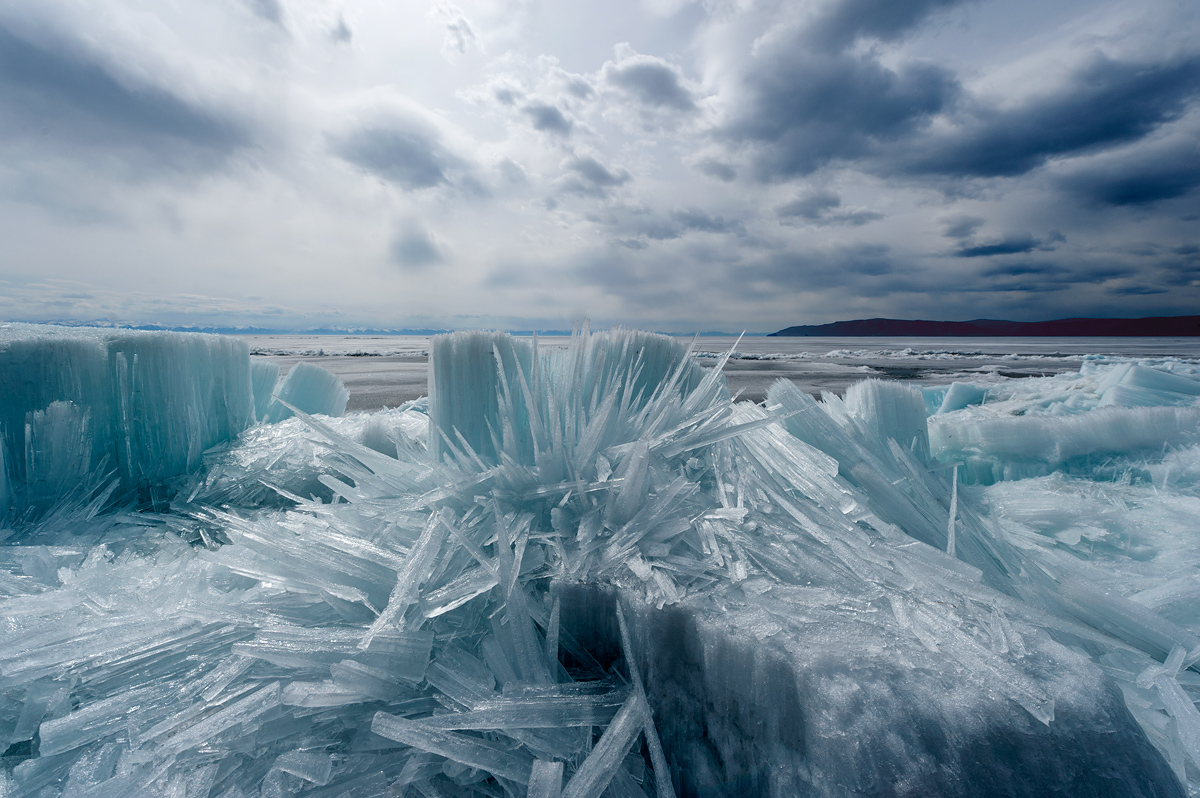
(796, 697)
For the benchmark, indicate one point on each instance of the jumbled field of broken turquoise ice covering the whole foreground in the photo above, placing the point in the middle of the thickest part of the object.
(591, 571)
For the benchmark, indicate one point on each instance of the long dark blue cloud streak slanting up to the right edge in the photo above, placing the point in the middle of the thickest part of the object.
(1106, 103)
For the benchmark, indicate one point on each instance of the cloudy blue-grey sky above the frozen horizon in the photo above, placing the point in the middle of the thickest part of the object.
(668, 165)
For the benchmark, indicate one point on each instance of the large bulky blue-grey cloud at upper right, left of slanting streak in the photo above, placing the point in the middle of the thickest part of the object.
(806, 109)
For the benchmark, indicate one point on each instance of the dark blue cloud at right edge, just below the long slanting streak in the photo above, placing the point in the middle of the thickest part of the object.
(1165, 171)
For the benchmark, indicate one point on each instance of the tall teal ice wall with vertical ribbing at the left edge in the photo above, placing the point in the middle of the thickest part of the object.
(81, 405)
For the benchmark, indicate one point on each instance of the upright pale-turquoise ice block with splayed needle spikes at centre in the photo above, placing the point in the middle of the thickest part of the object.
(491, 393)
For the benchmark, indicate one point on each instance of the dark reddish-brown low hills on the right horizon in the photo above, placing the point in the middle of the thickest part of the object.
(1160, 326)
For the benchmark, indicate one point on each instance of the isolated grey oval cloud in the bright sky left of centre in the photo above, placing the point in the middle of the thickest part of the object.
(404, 153)
